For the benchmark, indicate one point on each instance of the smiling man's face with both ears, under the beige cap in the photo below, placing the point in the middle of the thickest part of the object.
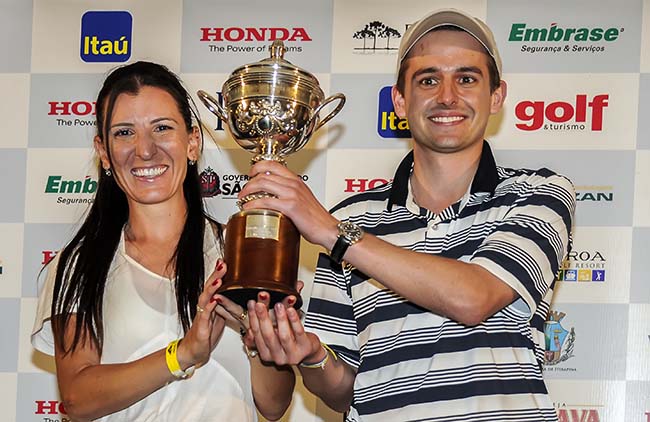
(446, 97)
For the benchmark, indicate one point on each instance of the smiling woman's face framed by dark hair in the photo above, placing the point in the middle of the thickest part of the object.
(149, 146)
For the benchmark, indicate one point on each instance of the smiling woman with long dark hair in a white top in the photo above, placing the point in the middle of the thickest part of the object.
(126, 308)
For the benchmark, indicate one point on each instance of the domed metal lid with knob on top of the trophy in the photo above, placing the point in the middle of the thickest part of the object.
(273, 69)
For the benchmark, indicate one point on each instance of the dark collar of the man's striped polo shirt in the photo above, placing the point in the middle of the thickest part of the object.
(485, 179)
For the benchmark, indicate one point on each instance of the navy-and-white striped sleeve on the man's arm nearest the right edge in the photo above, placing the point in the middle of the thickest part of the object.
(526, 249)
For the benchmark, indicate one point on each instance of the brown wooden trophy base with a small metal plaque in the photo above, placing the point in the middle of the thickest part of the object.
(262, 253)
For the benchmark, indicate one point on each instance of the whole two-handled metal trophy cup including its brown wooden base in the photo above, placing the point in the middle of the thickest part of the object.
(271, 108)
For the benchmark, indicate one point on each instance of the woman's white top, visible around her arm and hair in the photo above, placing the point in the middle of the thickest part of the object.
(140, 317)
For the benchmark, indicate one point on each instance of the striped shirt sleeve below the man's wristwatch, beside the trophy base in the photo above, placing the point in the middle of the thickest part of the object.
(331, 315)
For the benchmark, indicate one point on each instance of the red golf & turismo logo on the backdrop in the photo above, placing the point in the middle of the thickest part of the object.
(562, 115)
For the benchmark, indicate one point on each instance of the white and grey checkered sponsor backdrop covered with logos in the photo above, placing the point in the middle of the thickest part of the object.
(579, 103)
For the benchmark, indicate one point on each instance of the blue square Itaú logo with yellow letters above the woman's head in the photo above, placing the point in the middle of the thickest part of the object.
(106, 36)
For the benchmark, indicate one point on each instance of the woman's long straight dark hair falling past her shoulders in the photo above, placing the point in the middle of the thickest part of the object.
(85, 261)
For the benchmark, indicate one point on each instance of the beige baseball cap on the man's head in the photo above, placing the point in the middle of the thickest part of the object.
(450, 17)
